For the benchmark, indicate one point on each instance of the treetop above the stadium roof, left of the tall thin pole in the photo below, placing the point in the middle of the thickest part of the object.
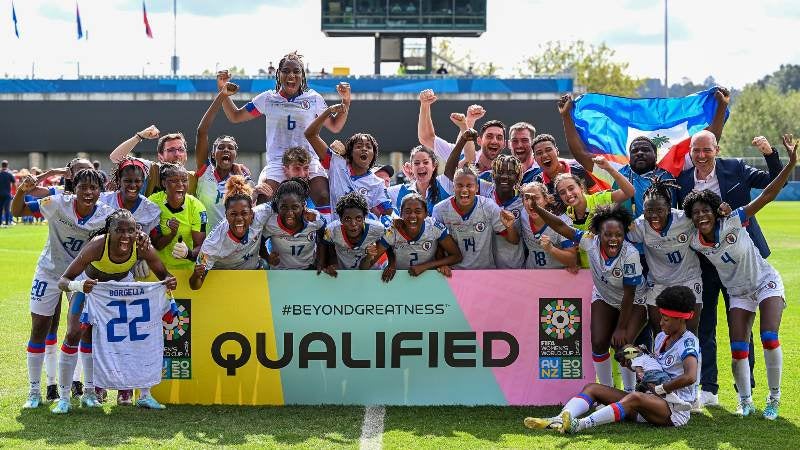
(591, 65)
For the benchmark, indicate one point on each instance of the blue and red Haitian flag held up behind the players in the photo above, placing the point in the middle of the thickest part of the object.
(608, 124)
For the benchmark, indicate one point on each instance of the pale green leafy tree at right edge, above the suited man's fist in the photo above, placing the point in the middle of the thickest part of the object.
(759, 111)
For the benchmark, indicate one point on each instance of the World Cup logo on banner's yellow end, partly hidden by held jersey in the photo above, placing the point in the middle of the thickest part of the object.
(178, 344)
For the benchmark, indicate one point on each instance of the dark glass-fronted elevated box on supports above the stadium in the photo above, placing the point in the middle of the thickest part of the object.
(392, 22)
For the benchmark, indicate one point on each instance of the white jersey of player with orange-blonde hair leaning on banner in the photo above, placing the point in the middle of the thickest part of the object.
(222, 250)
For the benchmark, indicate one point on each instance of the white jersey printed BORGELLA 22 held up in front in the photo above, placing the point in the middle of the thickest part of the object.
(127, 333)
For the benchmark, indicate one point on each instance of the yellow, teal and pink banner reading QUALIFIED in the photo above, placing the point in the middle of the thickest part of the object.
(513, 337)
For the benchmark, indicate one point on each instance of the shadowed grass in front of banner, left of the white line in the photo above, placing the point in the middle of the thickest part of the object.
(320, 426)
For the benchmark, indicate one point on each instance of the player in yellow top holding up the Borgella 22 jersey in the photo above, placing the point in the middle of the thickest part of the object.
(109, 255)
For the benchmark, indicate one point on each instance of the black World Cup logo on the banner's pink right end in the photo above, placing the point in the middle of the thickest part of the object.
(560, 342)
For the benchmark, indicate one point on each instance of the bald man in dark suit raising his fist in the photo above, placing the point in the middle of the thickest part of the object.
(732, 179)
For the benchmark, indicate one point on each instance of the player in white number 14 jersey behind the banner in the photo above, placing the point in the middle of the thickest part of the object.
(471, 219)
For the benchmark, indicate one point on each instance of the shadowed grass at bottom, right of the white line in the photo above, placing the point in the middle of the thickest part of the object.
(502, 426)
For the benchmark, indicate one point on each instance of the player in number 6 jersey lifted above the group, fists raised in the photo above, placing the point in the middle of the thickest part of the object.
(288, 110)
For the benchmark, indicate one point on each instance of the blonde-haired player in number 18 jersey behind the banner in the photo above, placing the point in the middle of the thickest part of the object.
(546, 248)
